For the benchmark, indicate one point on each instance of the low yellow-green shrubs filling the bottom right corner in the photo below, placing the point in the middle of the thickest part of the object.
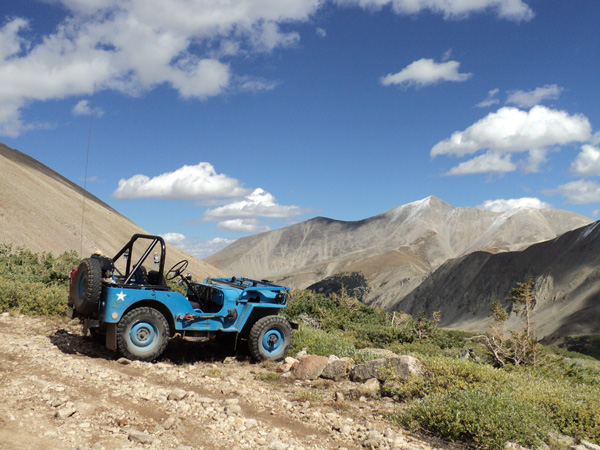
(453, 394)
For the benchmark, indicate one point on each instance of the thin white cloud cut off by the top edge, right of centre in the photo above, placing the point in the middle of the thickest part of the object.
(516, 10)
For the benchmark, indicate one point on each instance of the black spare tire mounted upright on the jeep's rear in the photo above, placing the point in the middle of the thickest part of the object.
(87, 286)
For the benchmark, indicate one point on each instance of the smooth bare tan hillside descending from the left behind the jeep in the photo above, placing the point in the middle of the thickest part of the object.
(42, 210)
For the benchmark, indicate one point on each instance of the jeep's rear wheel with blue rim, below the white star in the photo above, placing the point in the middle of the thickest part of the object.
(142, 334)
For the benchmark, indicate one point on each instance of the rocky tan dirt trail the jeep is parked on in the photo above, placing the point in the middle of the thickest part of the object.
(62, 390)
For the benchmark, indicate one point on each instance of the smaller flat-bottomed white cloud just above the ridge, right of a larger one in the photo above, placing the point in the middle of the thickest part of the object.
(259, 203)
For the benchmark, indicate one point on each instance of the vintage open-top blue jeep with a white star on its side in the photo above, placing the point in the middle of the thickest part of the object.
(126, 302)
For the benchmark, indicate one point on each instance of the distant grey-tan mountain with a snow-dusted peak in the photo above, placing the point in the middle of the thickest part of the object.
(395, 251)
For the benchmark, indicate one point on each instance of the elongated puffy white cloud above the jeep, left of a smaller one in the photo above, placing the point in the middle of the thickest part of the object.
(186, 183)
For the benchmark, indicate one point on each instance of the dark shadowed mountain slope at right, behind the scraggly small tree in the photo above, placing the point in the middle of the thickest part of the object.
(566, 274)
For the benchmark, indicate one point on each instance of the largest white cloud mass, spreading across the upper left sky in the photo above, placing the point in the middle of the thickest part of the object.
(133, 46)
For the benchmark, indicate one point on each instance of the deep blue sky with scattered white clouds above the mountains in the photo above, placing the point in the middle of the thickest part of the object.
(212, 120)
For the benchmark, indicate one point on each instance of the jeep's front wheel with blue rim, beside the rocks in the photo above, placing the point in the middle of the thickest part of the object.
(270, 338)
